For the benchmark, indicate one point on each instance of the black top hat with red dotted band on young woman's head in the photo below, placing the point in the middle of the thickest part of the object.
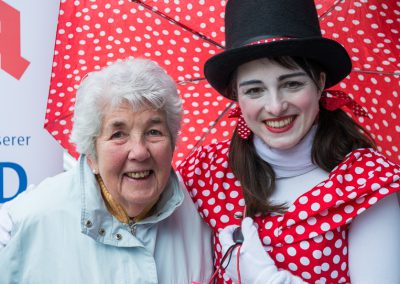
(271, 28)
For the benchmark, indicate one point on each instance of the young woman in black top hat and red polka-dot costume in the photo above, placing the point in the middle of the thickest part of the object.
(322, 202)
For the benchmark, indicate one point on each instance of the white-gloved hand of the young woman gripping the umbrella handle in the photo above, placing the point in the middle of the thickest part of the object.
(256, 266)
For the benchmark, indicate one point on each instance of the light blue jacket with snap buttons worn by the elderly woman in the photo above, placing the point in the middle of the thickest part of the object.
(63, 233)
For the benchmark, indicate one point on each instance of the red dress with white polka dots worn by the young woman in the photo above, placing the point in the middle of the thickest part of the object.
(310, 238)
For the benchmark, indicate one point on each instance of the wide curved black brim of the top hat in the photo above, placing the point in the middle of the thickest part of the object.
(331, 55)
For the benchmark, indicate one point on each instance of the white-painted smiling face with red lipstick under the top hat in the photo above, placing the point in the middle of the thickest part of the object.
(278, 104)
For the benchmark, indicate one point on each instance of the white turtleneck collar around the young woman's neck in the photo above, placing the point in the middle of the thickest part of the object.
(289, 162)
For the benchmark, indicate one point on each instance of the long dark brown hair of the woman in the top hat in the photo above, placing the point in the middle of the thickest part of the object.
(337, 135)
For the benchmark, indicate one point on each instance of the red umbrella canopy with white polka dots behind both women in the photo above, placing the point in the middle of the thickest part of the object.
(182, 35)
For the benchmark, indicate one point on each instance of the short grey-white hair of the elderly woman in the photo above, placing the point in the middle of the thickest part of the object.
(141, 82)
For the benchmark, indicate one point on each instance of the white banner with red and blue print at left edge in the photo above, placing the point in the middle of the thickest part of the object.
(28, 153)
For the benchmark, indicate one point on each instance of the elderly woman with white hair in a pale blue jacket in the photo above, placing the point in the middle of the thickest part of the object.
(120, 215)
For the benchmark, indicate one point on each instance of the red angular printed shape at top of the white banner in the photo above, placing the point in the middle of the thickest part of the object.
(11, 60)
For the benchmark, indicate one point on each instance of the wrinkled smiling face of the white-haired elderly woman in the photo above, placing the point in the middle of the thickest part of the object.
(134, 154)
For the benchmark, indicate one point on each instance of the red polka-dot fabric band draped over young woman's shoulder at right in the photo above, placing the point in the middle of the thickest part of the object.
(362, 179)
